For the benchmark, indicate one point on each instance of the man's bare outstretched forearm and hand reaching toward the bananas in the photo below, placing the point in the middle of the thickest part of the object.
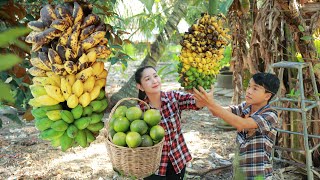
(238, 122)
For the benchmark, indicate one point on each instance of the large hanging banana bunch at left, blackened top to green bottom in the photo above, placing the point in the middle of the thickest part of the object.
(68, 84)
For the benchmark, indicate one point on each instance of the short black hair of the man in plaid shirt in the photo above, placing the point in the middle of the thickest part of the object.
(269, 81)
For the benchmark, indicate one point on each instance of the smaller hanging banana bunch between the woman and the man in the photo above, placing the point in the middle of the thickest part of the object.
(203, 47)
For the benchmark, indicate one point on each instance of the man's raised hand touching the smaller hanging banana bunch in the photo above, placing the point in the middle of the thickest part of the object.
(204, 97)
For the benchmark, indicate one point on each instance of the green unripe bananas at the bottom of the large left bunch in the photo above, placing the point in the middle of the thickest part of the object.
(73, 127)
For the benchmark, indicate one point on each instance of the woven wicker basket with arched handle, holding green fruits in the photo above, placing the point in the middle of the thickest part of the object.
(137, 162)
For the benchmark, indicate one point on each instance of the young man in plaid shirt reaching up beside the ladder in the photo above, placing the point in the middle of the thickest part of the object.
(255, 121)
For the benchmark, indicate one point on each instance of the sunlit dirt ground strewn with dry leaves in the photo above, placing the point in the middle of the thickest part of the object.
(24, 156)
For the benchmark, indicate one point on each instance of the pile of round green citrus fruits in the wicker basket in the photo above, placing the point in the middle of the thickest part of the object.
(133, 128)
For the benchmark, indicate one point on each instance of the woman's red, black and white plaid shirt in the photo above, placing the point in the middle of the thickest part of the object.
(174, 148)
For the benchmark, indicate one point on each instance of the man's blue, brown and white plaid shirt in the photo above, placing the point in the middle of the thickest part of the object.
(256, 147)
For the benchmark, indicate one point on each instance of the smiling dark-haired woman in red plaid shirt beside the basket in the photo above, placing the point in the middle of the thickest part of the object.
(175, 153)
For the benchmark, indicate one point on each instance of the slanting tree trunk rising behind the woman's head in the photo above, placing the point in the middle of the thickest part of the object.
(156, 51)
